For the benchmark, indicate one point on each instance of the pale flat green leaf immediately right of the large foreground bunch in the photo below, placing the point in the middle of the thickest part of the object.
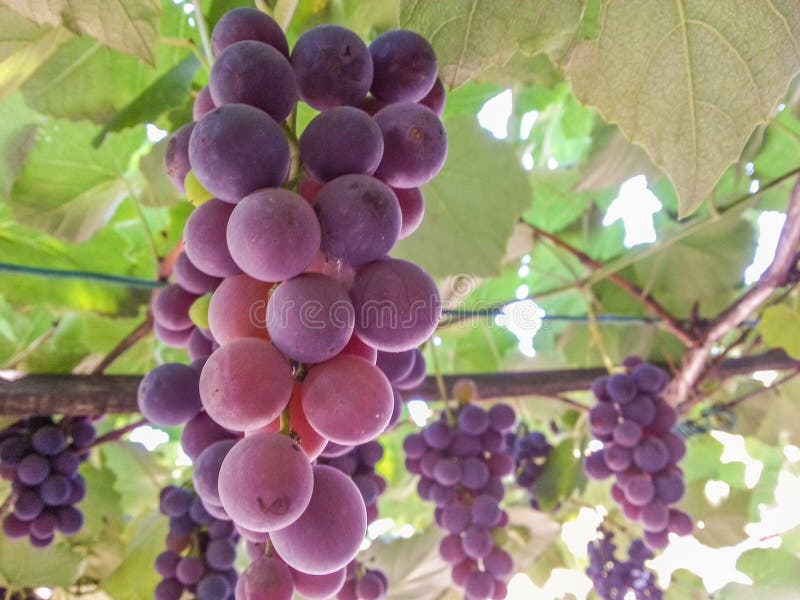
(470, 210)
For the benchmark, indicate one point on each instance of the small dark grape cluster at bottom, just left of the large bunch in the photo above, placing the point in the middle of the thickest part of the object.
(201, 550)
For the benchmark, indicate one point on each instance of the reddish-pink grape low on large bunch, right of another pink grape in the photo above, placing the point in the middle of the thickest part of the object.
(347, 400)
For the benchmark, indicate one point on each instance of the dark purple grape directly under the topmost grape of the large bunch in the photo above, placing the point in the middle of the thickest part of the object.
(256, 74)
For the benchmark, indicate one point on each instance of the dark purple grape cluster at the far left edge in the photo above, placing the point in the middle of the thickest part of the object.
(41, 458)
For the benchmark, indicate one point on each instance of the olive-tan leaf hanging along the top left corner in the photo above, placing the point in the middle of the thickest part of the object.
(130, 26)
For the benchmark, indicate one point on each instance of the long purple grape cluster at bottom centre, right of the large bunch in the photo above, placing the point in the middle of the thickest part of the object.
(461, 459)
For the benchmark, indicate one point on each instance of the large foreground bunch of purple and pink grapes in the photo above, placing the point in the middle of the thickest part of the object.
(304, 295)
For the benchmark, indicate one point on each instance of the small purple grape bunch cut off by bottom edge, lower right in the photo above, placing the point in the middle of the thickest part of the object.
(612, 579)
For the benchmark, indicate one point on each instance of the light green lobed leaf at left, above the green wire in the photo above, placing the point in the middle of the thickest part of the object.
(73, 208)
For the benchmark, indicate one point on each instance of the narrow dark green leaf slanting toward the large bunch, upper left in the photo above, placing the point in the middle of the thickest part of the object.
(161, 95)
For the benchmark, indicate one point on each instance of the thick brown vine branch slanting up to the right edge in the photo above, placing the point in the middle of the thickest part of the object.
(776, 275)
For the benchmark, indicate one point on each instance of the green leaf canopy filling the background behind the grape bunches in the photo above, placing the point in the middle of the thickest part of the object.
(697, 96)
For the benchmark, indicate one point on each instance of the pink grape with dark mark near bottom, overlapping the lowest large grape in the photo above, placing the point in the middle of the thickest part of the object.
(265, 482)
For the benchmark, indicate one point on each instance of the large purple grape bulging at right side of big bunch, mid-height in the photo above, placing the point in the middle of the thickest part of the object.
(396, 303)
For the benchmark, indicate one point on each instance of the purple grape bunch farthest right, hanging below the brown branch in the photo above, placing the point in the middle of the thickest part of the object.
(640, 450)
